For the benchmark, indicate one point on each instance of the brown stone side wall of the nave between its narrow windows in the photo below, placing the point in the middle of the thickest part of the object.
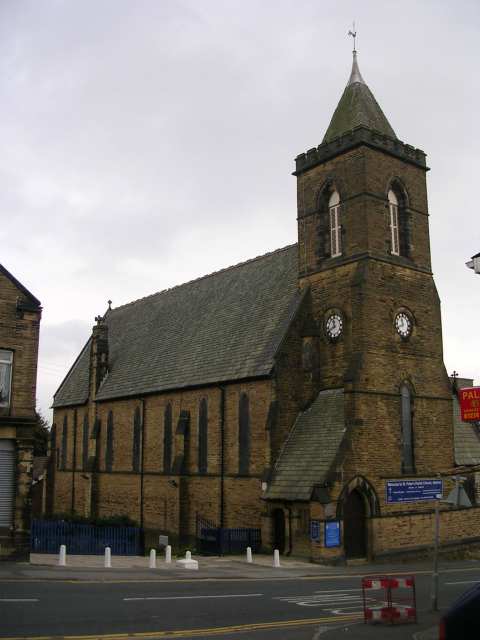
(171, 501)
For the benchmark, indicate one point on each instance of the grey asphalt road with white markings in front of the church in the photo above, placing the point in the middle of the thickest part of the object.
(300, 608)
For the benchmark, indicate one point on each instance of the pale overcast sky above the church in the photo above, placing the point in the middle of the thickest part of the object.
(148, 142)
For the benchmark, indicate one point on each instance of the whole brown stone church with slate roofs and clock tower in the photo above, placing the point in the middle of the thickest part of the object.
(293, 393)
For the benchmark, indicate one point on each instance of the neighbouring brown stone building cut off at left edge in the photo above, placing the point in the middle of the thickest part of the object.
(20, 314)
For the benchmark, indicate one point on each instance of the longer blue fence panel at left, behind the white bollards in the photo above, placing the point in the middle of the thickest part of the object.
(47, 536)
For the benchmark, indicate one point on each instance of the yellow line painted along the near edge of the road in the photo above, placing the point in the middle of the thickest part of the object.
(212, 631)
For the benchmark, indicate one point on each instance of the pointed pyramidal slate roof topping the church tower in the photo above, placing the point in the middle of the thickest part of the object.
(357, 107)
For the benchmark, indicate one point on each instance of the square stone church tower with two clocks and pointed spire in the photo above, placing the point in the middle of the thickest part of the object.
(364, 256)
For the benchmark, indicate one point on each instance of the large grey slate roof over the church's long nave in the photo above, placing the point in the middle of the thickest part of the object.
(224, 326)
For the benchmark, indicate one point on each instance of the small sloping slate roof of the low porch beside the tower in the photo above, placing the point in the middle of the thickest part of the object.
(311, 448)
